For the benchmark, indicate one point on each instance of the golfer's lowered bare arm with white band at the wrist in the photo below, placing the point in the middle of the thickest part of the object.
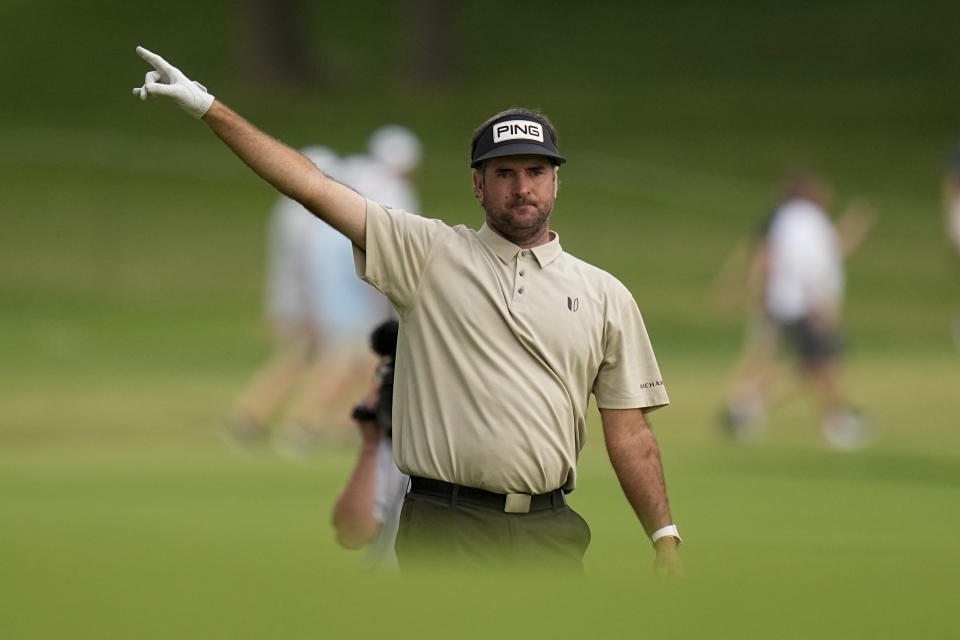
(635, 456)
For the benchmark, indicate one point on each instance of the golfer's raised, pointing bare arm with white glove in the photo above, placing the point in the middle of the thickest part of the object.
(286, 169)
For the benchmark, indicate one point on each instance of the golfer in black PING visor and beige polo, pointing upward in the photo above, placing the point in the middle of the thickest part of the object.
(503, 337)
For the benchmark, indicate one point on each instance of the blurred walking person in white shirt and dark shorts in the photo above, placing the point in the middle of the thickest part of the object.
(794, 294)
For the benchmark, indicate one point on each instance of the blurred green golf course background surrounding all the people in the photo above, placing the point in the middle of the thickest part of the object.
(131, 270)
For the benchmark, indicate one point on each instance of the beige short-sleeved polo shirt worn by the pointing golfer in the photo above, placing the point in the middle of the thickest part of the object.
(499, 350)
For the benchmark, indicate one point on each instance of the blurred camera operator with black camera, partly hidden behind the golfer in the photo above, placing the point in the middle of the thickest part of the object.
(368, 510)
